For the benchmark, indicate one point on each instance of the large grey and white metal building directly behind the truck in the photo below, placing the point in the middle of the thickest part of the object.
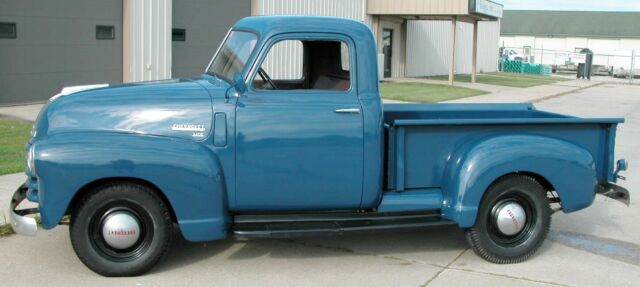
(46, 45)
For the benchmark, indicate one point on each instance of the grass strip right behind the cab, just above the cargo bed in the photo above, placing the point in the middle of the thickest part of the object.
(426, 93)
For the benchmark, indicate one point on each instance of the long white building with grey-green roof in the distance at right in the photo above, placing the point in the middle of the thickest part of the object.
(549, 35)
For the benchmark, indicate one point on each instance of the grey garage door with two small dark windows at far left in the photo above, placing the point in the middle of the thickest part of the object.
(56, 46)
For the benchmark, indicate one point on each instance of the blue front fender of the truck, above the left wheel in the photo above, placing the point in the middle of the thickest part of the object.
(186, 172)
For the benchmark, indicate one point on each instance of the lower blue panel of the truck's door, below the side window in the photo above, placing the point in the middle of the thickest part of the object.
(298, 149)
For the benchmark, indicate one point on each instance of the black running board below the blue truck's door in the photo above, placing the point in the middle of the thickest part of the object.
(297, 225)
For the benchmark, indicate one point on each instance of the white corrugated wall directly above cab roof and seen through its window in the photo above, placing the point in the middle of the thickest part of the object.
(352, 9)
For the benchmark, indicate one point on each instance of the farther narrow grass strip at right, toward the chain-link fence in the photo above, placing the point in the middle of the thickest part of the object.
(507, 79)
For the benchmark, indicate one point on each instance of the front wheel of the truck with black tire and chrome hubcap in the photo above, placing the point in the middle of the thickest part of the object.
(120, 229)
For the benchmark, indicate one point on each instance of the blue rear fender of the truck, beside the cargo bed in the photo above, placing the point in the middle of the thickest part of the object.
(474, 166)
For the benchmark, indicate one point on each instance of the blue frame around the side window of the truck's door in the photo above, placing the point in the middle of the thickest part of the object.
(313, 36)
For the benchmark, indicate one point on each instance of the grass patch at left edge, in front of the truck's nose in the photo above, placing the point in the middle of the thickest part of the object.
(13, 136)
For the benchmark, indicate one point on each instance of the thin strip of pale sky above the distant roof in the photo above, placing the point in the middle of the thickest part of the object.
(580, 5)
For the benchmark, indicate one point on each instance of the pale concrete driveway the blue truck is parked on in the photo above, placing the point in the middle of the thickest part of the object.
(599, 246)
